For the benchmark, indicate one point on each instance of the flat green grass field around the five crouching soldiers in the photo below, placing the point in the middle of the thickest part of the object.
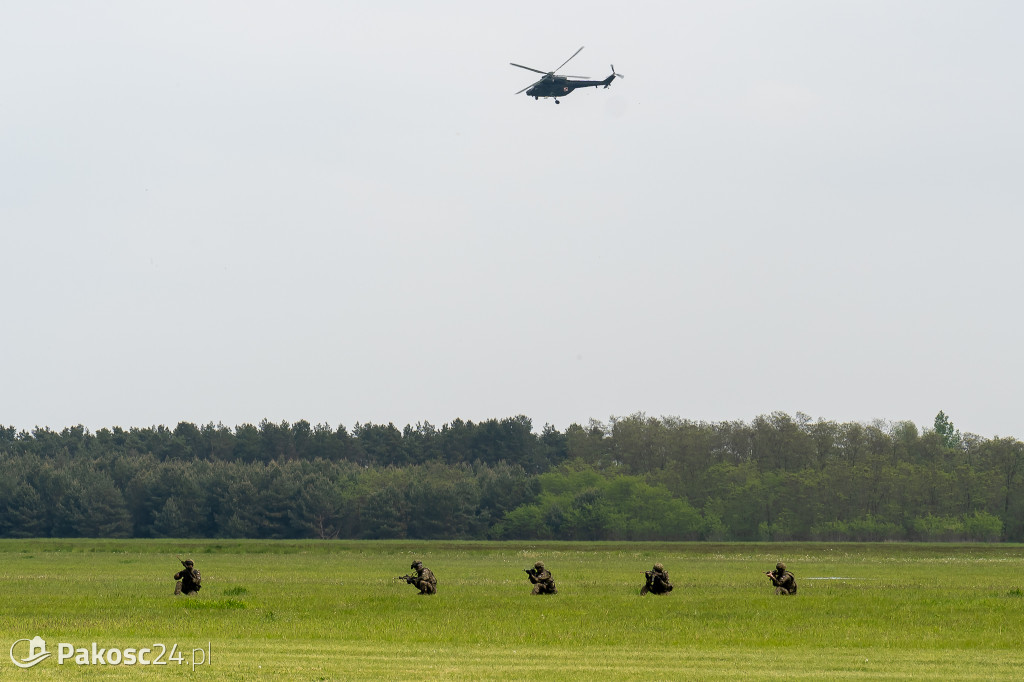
(321, 611)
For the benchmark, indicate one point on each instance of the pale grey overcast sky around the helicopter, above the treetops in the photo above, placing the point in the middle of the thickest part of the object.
(340, 212)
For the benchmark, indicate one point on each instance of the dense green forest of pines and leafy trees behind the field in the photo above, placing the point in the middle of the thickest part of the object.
(779, 478)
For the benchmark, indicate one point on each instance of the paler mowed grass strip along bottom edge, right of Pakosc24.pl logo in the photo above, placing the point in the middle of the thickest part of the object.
(425, 662)
